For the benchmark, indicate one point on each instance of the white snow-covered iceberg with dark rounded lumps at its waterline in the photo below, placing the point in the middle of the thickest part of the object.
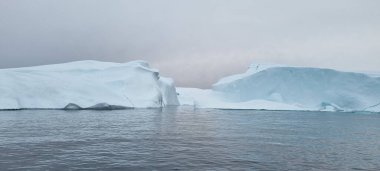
(85, 84)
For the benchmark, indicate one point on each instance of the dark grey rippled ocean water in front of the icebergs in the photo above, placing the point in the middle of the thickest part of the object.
(188, 139)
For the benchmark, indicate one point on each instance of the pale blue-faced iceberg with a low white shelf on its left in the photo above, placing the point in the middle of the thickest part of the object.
(278, 87)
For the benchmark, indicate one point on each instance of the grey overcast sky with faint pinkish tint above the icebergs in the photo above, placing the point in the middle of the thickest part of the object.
(196, 42)
